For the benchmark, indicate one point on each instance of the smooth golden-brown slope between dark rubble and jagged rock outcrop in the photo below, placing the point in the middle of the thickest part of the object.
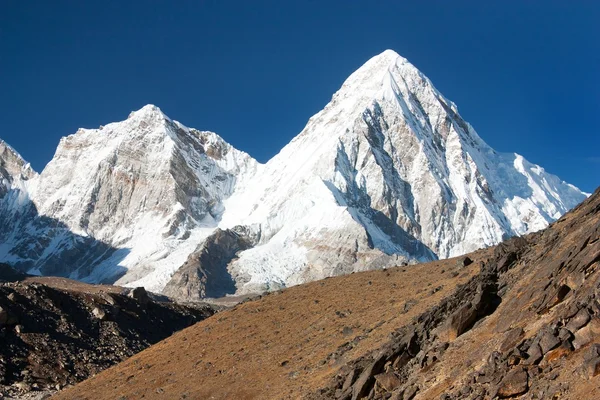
(284, 345)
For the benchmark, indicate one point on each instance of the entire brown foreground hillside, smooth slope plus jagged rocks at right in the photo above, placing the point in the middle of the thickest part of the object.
(520, 320)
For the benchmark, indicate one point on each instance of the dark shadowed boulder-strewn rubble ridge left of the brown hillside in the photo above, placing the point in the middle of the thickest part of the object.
(56, 332)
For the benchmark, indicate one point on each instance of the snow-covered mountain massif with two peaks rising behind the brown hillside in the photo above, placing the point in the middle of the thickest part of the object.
(387, 173)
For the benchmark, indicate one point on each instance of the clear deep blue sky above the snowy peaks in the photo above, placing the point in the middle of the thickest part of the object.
(526, 74)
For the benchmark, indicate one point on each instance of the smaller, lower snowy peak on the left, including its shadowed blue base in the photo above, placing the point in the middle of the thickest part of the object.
(129, 200)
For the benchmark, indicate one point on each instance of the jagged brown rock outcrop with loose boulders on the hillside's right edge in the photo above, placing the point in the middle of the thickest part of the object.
(549, 288)
